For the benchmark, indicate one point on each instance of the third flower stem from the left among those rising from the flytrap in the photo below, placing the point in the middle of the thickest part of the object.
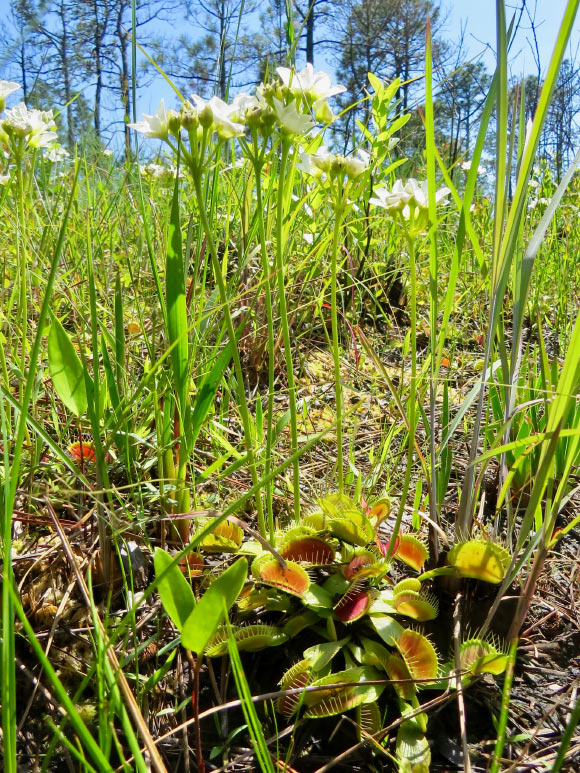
(284, 323)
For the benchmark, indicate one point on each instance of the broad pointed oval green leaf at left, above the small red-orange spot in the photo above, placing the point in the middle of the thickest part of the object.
(66, 370)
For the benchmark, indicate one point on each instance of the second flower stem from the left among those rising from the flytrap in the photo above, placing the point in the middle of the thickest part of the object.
(271, 352)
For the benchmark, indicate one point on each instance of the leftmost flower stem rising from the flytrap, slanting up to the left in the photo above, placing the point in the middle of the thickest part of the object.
(243, 403)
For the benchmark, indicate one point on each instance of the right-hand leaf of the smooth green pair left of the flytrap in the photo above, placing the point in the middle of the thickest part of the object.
(211, 609)
